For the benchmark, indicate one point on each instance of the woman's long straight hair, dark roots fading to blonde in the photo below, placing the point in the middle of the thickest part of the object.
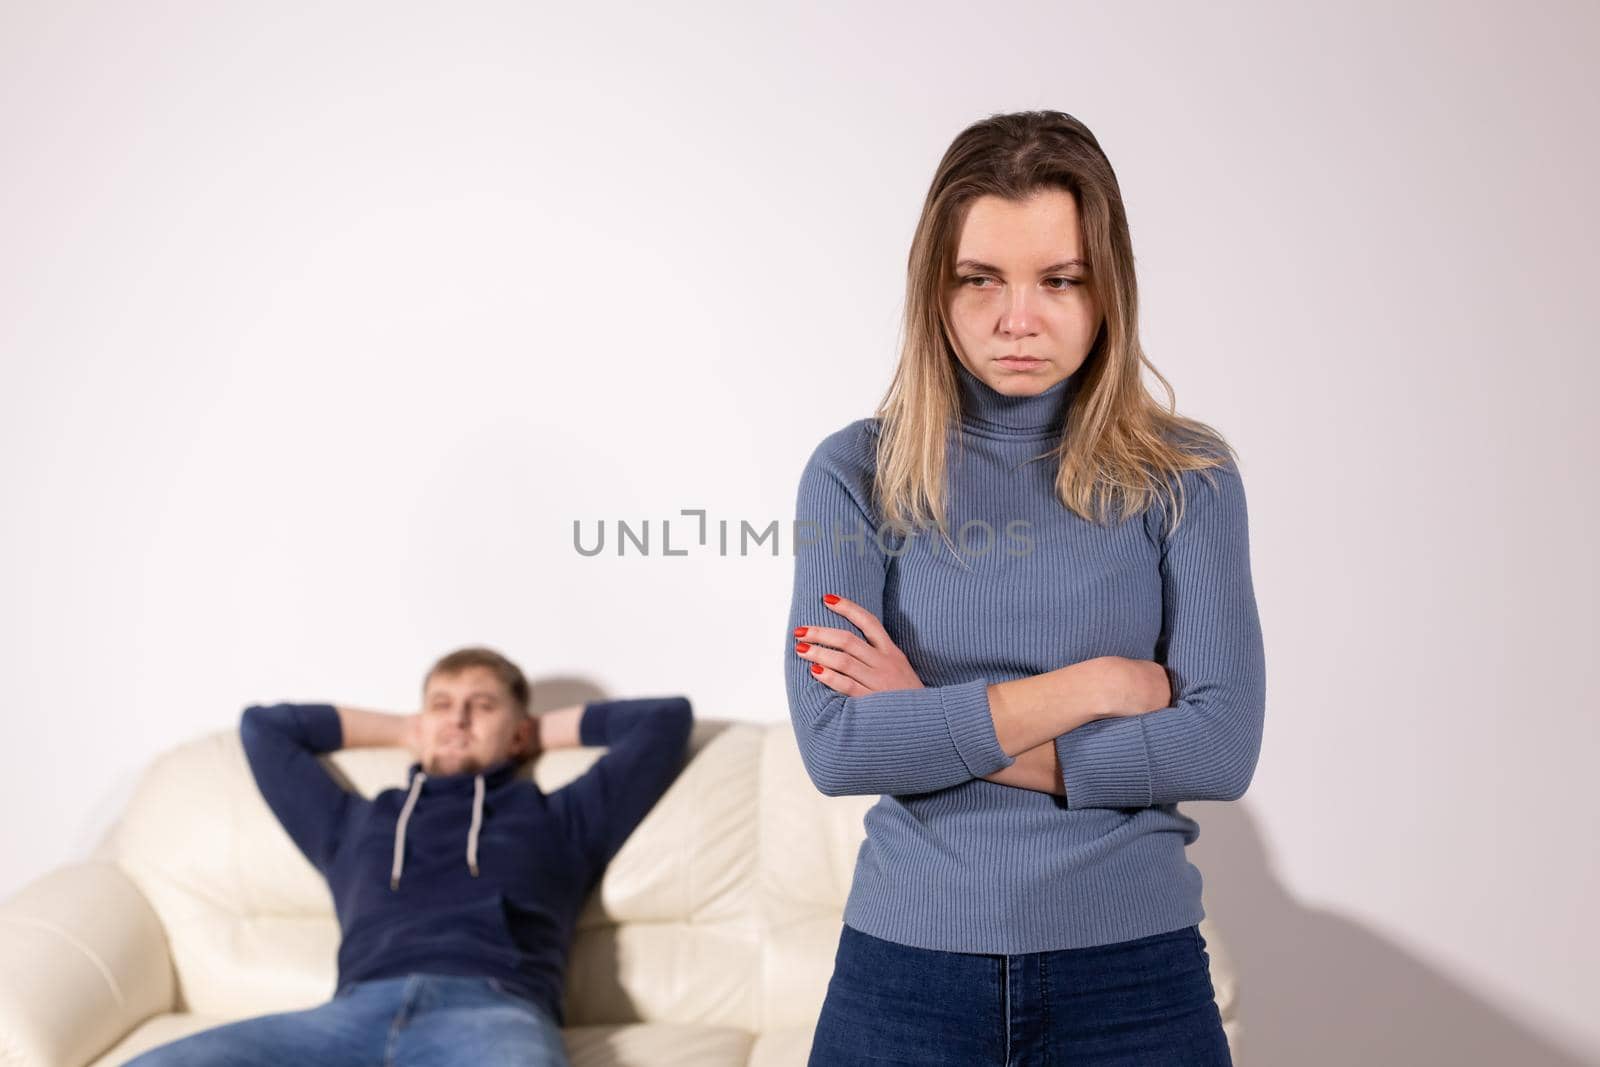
(1121, 450)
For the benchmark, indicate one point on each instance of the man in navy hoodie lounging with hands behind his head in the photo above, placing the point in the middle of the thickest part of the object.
(458, 895)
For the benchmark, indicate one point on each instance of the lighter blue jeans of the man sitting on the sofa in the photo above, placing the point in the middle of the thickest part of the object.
(422, 1020)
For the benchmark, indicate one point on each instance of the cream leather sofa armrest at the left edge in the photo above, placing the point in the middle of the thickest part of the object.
(86, 962)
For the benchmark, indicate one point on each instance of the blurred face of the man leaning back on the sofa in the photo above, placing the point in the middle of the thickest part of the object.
(470, 724)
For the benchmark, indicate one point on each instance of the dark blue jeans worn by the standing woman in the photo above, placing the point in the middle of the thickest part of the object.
(1134, 1004)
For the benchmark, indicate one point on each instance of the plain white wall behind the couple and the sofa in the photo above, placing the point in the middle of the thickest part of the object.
(324, 322)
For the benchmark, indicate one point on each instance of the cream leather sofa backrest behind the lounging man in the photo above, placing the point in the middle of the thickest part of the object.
(722, 908)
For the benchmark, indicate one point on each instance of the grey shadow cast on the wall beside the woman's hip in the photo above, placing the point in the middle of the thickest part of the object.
(1321, 991)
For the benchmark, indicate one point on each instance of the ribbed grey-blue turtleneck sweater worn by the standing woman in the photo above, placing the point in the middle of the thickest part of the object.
(962, 865)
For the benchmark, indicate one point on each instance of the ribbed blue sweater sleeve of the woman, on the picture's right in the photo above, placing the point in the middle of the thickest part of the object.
(1206, 745)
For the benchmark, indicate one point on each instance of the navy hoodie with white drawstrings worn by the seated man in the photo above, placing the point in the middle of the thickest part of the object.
(538, 857)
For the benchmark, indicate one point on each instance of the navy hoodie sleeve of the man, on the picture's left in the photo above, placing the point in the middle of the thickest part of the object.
(282, 743)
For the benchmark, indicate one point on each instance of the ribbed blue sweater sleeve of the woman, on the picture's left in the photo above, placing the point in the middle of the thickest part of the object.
(892, 741)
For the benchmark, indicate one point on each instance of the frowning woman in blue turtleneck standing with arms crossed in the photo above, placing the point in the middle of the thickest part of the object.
(1023, 613)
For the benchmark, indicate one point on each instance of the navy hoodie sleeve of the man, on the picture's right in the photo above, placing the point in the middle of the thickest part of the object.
(647, 740)
